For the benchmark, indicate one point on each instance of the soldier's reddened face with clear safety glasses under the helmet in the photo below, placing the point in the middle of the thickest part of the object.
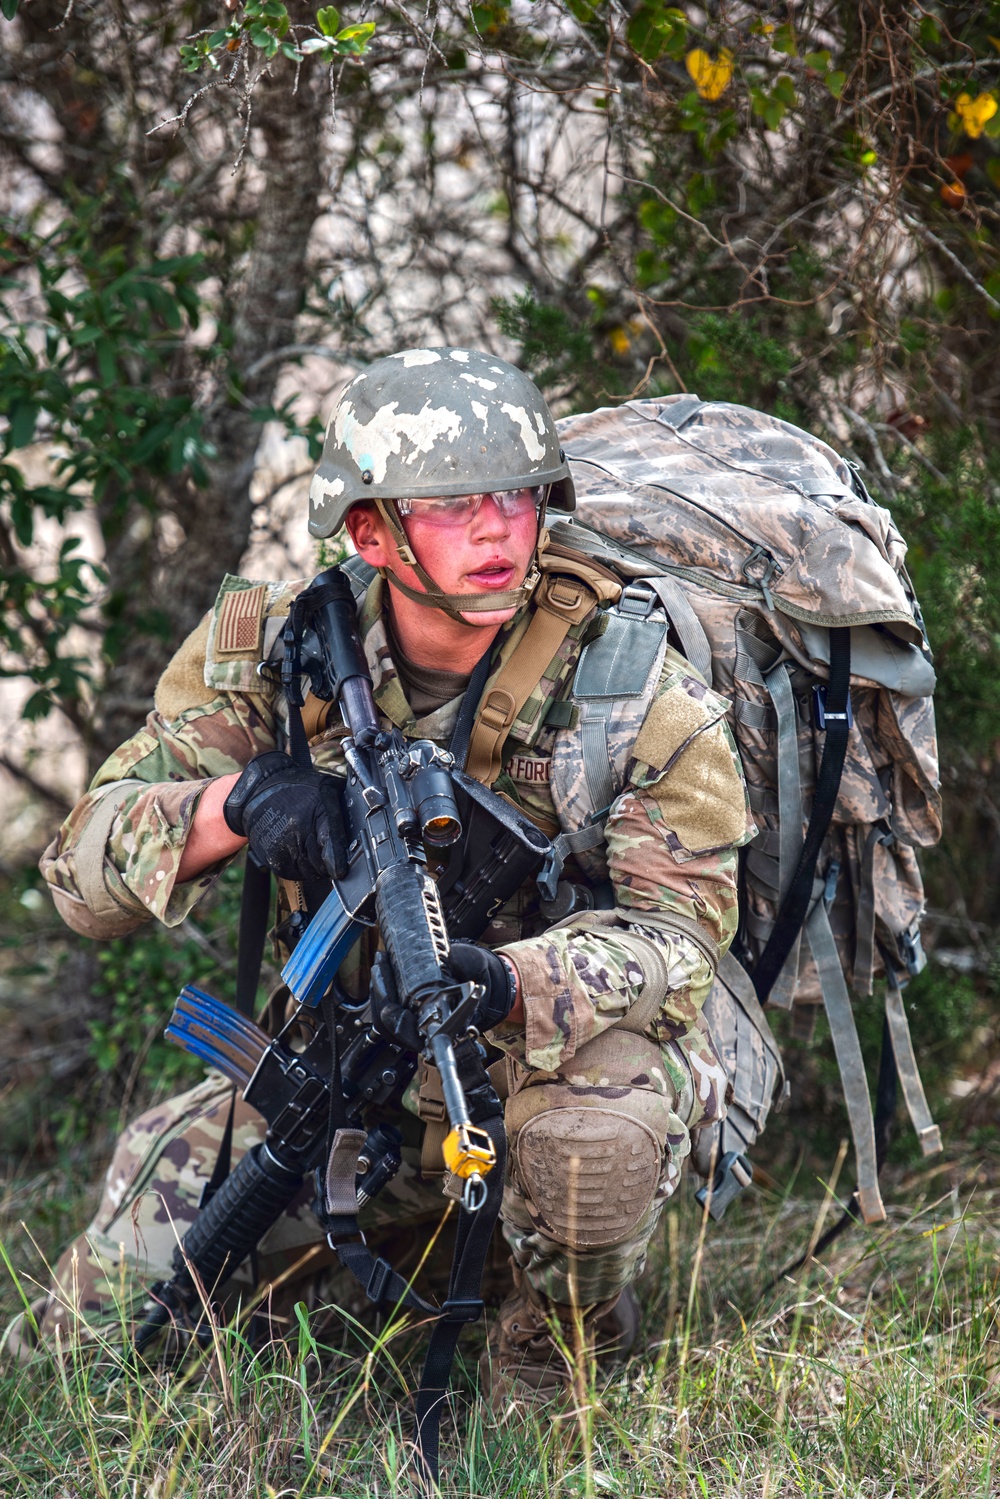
(491, 552)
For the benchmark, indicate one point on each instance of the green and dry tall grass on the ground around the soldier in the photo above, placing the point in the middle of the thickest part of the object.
(876, 1372)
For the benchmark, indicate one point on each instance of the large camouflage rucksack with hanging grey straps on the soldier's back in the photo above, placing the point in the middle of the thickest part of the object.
(770, 560)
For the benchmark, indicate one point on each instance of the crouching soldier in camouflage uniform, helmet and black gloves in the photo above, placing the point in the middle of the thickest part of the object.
(443, 465)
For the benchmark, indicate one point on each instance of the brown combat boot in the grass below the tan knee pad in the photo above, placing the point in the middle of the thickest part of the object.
(537, 1347)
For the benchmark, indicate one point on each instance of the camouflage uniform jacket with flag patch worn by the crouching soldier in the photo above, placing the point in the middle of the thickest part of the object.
(671, 837)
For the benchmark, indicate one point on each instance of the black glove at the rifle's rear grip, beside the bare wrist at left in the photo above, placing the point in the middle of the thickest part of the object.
(290, 816)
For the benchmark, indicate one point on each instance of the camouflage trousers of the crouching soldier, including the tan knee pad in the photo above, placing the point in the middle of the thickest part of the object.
(596, 1152)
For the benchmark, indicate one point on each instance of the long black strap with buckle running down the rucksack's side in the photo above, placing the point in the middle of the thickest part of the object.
(800, 893)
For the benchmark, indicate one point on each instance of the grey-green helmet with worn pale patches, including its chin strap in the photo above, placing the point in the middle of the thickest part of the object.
(439, 422)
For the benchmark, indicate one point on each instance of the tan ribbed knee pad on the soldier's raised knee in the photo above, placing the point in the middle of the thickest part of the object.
(588, 1155)
